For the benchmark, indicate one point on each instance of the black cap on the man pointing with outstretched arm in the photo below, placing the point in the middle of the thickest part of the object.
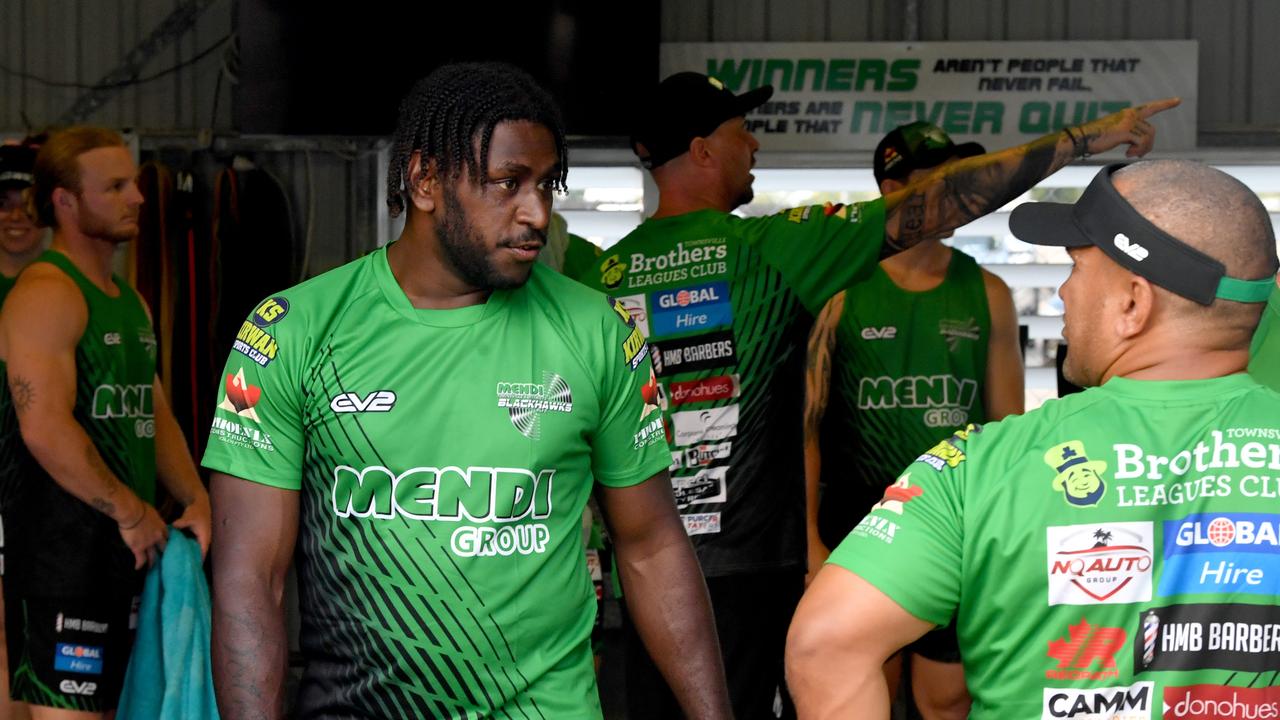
(684, 107)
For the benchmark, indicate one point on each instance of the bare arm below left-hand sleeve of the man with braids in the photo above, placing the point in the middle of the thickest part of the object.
(257, 528)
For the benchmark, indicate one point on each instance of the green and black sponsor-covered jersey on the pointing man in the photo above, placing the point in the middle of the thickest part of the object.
(728, 304)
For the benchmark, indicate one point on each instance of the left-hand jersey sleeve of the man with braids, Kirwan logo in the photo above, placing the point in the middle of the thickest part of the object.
(257, 434)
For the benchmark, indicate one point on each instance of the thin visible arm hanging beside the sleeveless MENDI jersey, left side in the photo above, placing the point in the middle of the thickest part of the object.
(822, 341)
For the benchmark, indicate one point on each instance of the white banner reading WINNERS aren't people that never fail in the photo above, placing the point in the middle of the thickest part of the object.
(848, 95)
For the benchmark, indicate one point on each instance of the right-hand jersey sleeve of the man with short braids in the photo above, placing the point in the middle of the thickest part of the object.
(630, 445)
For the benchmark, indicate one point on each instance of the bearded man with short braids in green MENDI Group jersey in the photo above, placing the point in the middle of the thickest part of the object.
(426, 426)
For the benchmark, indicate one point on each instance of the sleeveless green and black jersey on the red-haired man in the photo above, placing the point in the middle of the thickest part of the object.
(45, 526)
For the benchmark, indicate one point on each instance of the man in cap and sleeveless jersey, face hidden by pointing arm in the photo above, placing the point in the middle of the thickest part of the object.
(930, 320)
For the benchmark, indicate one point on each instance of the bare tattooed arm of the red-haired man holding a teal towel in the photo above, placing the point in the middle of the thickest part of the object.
(43, 321)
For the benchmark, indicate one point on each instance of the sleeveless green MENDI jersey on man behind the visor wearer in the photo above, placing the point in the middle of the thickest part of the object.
(908, 370)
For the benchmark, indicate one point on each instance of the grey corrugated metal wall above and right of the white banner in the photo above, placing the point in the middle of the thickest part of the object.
(1238, 39)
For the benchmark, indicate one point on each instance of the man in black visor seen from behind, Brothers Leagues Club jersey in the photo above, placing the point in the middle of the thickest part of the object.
(1114, 554)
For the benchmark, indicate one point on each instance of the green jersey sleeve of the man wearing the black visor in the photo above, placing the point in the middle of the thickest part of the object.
(911, 545)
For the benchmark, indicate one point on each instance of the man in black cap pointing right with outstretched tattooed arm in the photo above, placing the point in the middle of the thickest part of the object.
(729, 303)
